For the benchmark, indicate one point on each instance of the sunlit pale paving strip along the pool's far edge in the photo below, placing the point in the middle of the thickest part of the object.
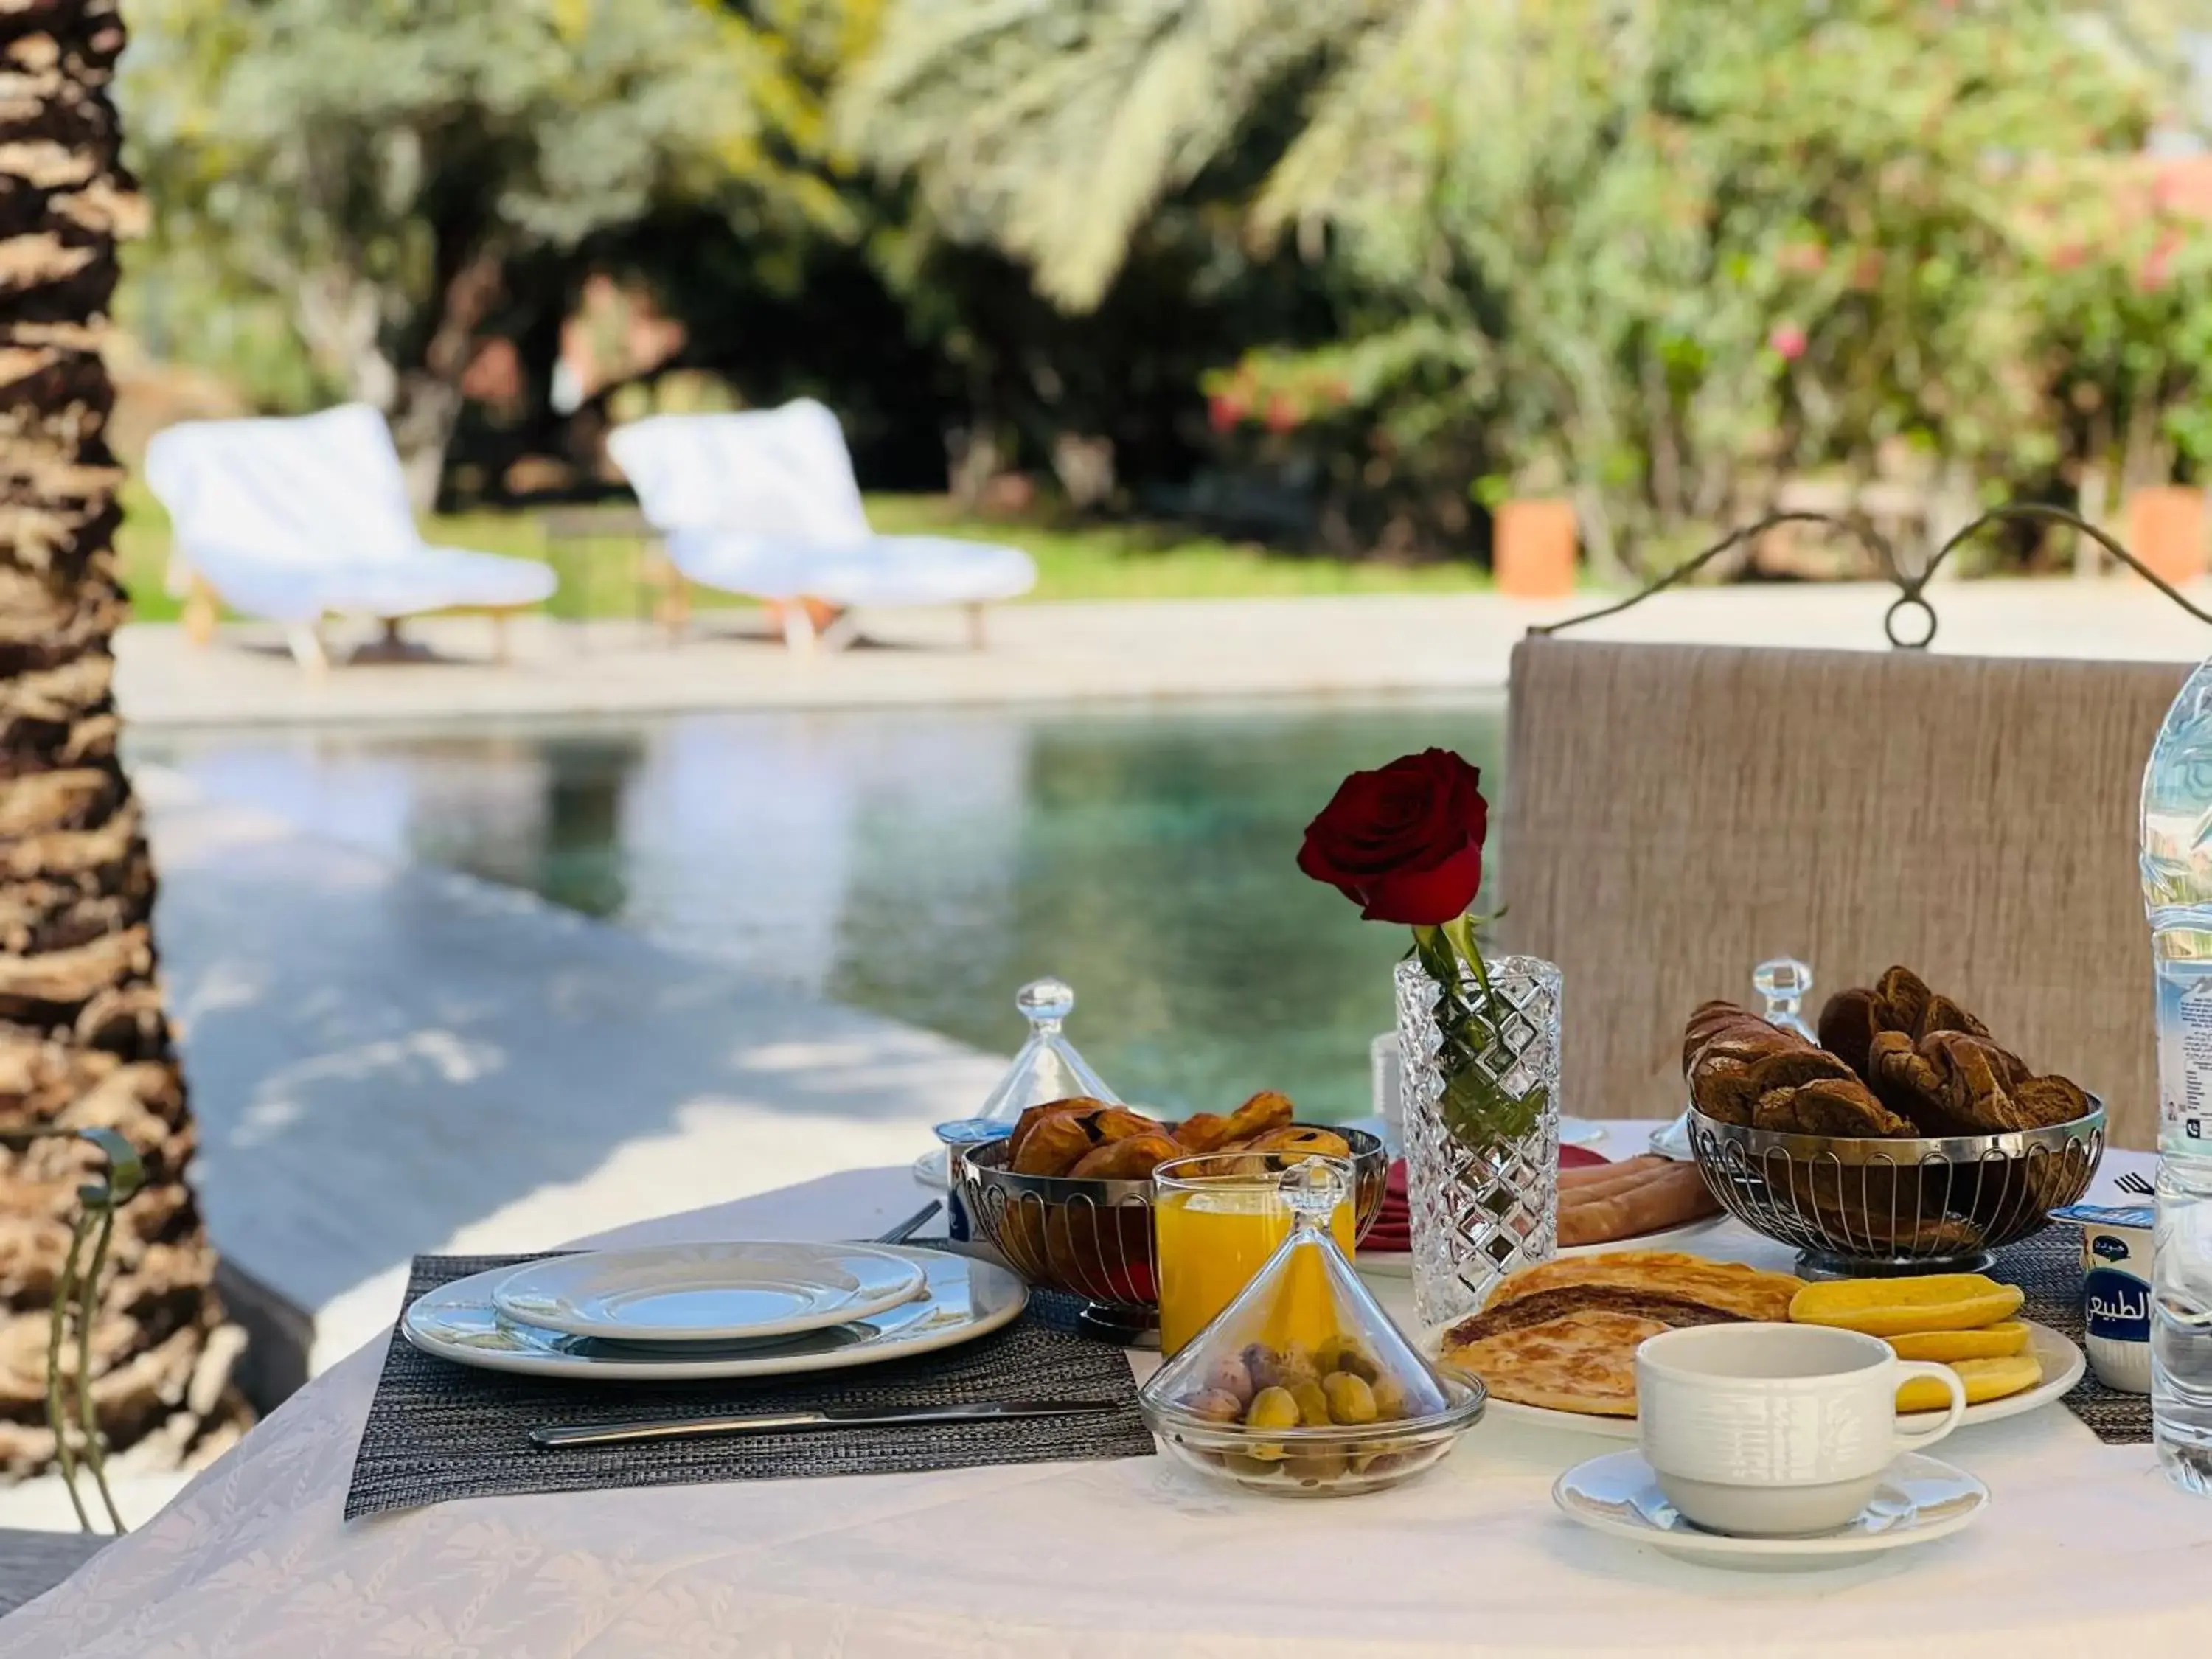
(1165, 649)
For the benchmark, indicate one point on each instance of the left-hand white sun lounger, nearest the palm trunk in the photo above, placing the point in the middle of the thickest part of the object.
(309, 517)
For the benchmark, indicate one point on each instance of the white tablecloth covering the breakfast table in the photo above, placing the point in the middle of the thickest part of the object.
(2085, 1552)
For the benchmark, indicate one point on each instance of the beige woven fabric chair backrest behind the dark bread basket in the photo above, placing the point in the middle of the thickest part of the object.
(1680, 813)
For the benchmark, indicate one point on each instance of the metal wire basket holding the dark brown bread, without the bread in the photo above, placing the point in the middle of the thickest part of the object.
(1892, 1204)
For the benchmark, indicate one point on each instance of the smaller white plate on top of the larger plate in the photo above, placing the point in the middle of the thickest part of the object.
(707, 1293)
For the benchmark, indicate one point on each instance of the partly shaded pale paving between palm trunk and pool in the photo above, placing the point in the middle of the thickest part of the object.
(393, 1058)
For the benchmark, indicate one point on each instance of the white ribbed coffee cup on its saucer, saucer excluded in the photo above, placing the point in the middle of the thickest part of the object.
(1777, 1430)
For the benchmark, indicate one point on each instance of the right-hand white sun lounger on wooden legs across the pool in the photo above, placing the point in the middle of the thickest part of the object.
(766, 503)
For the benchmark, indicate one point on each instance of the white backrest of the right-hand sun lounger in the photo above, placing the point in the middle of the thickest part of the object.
(778, 474)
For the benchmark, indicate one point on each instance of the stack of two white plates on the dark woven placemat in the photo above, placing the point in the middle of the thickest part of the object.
(713, 1311)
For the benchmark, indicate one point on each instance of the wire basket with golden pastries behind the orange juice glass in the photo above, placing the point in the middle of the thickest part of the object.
(1067, 1198)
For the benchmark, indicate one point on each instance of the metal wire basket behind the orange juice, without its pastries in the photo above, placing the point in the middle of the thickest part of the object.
(1094, 1240)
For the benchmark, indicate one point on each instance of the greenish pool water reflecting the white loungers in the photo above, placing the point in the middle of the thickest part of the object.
(926, 864)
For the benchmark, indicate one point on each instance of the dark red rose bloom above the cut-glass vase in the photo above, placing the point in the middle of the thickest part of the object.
(1404, 844)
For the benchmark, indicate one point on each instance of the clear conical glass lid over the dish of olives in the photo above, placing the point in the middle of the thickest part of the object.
(1304, 1346)
